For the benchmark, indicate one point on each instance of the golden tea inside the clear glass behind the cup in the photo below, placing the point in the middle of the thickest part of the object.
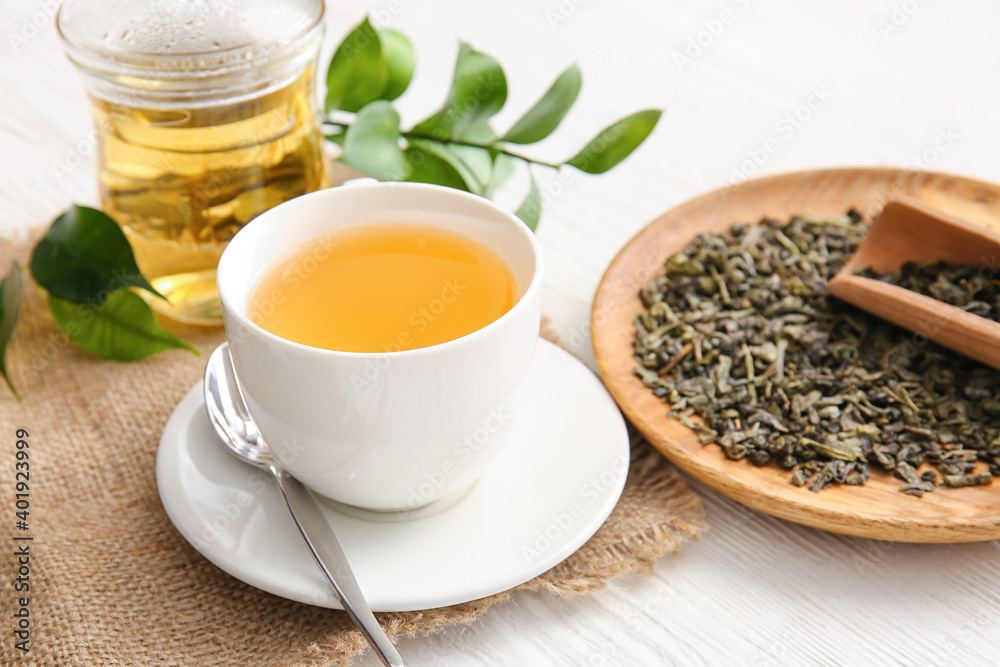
(182, 181)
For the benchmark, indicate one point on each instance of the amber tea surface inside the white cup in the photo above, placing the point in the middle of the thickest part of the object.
(383, 288)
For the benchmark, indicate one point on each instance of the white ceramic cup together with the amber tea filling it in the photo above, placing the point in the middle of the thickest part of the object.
(380, 333)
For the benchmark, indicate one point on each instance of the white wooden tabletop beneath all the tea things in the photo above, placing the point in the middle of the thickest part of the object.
(853, 82)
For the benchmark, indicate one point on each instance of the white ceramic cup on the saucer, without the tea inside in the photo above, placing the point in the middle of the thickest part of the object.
(392, 430)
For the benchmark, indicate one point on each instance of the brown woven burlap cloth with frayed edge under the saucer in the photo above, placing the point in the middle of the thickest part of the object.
(113, 583)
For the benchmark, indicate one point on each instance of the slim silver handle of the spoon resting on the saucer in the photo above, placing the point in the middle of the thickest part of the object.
(330, 557)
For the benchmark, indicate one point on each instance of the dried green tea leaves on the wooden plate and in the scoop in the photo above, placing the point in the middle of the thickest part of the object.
(787, 375)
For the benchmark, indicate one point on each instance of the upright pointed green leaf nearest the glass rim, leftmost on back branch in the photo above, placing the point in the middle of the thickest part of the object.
(358, 73)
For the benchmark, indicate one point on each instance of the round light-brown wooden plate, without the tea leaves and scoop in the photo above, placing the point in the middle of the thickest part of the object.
(877, 510)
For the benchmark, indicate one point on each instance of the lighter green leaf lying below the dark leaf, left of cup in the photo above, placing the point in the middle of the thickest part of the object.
(123, 328)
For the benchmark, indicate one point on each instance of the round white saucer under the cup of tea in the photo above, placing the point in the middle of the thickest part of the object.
(546, 494)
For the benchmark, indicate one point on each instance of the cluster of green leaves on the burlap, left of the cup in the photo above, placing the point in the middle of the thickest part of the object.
(87, 268)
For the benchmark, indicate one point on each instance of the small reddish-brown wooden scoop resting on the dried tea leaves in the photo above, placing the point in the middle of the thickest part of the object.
(908, 230)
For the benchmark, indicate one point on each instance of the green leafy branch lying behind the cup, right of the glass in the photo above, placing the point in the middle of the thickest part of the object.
(455, 146)
